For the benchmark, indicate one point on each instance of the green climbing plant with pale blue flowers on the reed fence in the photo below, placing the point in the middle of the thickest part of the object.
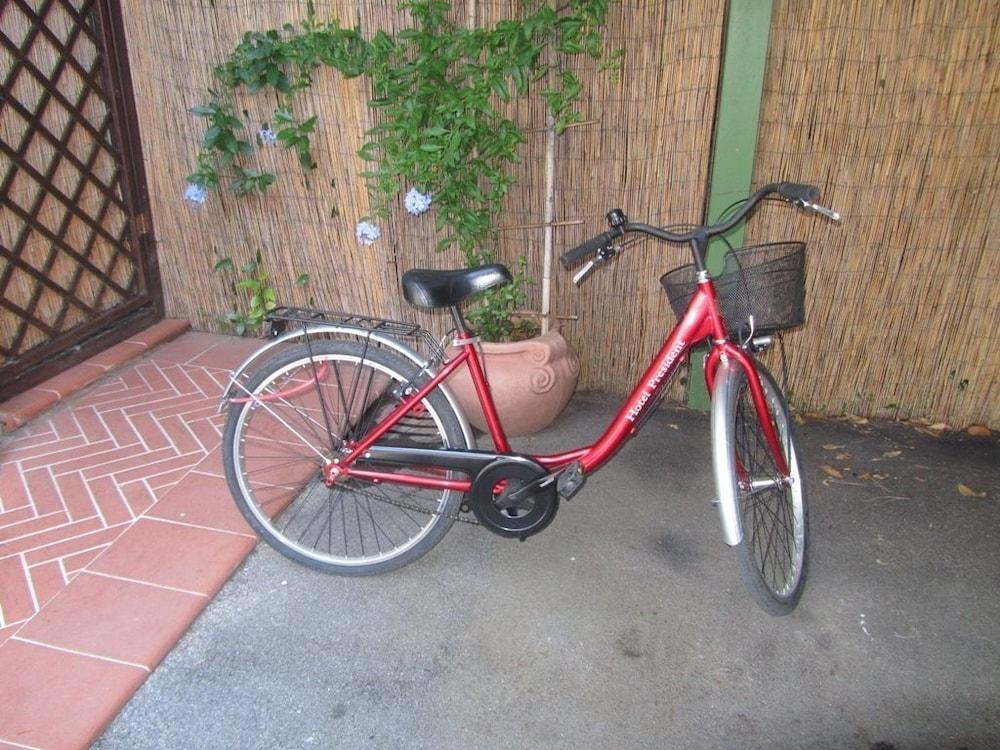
(437, 89)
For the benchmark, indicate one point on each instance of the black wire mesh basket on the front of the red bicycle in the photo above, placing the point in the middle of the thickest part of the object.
(763, 282)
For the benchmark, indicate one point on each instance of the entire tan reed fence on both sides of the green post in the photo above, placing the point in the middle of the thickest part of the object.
(892, 108)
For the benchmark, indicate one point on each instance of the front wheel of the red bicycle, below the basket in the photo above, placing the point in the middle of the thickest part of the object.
(774, 512)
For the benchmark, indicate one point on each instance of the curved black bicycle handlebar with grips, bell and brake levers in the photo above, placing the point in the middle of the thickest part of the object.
(800, 194)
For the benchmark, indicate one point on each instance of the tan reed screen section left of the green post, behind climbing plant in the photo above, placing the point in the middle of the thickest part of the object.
(645, 148)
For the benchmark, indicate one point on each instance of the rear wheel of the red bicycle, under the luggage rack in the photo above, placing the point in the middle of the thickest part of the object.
(303, 407)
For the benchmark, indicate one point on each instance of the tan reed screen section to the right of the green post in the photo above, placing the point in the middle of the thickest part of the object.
(894, 108)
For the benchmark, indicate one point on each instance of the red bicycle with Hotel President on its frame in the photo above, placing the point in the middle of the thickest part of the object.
(347, 452)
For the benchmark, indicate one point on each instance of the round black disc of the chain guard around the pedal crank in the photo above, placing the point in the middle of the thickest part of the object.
(497, 506)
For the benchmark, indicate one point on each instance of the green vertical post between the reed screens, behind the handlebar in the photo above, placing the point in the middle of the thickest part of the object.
(741, 82)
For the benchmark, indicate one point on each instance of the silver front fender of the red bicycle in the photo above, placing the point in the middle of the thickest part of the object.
(723, 440)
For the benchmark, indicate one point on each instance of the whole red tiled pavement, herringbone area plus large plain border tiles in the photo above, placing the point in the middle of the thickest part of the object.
(116, 529)
